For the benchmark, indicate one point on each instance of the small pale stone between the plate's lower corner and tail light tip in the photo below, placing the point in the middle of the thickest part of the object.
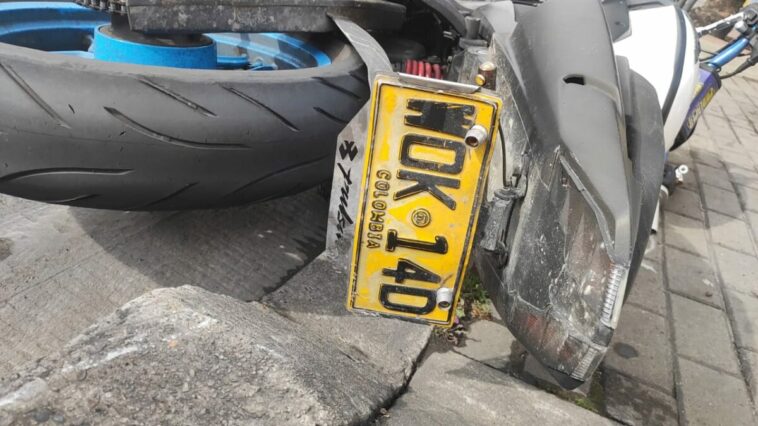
(491, 343)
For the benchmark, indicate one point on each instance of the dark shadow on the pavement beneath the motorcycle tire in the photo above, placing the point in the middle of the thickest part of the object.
(244, 252)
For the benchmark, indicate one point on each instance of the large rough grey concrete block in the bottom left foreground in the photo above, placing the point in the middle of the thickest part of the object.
(188, 356)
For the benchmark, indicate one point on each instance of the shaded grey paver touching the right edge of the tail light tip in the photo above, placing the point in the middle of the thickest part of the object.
(641, 348)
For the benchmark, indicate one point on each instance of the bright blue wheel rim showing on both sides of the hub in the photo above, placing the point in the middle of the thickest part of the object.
(68, 29)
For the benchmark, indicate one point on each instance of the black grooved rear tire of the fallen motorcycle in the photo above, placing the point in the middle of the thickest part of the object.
(127, 137)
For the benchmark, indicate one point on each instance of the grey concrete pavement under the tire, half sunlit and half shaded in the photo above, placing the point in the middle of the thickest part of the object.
(63, 268)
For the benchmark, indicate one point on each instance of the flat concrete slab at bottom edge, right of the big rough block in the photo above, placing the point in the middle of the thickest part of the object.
(450, 389)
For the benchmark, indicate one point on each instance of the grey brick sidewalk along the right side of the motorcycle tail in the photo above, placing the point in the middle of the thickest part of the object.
(686, 350)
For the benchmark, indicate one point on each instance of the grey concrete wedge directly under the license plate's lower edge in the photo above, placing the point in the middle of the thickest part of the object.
(315, 299)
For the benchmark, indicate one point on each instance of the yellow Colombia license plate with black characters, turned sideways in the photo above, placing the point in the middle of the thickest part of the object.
(421, 192)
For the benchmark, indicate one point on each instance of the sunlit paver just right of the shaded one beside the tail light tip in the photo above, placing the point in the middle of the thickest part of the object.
(701, 333)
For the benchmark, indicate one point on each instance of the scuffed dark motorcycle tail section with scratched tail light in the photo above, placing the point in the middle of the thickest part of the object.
(563, 239)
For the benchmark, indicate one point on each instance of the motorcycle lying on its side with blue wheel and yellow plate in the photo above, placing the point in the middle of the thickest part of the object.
(526, 136)
